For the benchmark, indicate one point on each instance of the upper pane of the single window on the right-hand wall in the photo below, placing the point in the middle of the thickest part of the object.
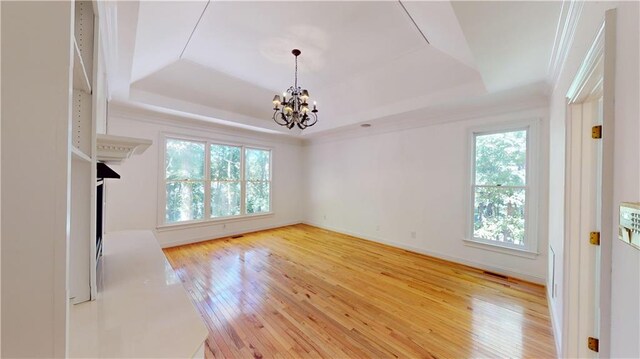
(501, 158)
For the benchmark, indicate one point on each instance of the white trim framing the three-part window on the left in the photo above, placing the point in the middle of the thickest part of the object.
(162, 225)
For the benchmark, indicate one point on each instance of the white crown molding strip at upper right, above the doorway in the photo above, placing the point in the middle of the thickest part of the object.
(565, 32)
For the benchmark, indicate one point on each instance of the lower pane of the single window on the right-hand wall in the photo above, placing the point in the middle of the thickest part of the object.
(499, 214)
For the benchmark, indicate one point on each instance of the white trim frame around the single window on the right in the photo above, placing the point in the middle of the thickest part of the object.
(530, 249)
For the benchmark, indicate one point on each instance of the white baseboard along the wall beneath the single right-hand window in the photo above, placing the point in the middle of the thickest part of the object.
(492, 268)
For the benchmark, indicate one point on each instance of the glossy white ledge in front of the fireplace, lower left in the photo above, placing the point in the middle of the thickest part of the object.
(142, 309)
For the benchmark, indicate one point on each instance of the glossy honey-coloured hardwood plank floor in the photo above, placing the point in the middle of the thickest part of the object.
(301, 291)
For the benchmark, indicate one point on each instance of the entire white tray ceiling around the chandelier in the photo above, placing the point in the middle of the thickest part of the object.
(361, 61)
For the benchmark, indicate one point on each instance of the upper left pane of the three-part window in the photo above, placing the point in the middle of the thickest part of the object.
(184, 160)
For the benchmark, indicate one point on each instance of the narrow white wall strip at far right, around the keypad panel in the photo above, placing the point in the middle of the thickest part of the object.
(625, 275)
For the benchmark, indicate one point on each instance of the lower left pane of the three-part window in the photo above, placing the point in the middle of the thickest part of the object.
(185, 201)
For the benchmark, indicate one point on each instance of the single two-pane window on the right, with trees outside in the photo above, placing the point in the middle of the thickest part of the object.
(501, 189)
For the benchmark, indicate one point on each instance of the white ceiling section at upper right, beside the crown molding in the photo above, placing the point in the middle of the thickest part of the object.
(513, 48)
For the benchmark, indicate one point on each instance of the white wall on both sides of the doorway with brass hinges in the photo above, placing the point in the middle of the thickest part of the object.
(625, 281)
